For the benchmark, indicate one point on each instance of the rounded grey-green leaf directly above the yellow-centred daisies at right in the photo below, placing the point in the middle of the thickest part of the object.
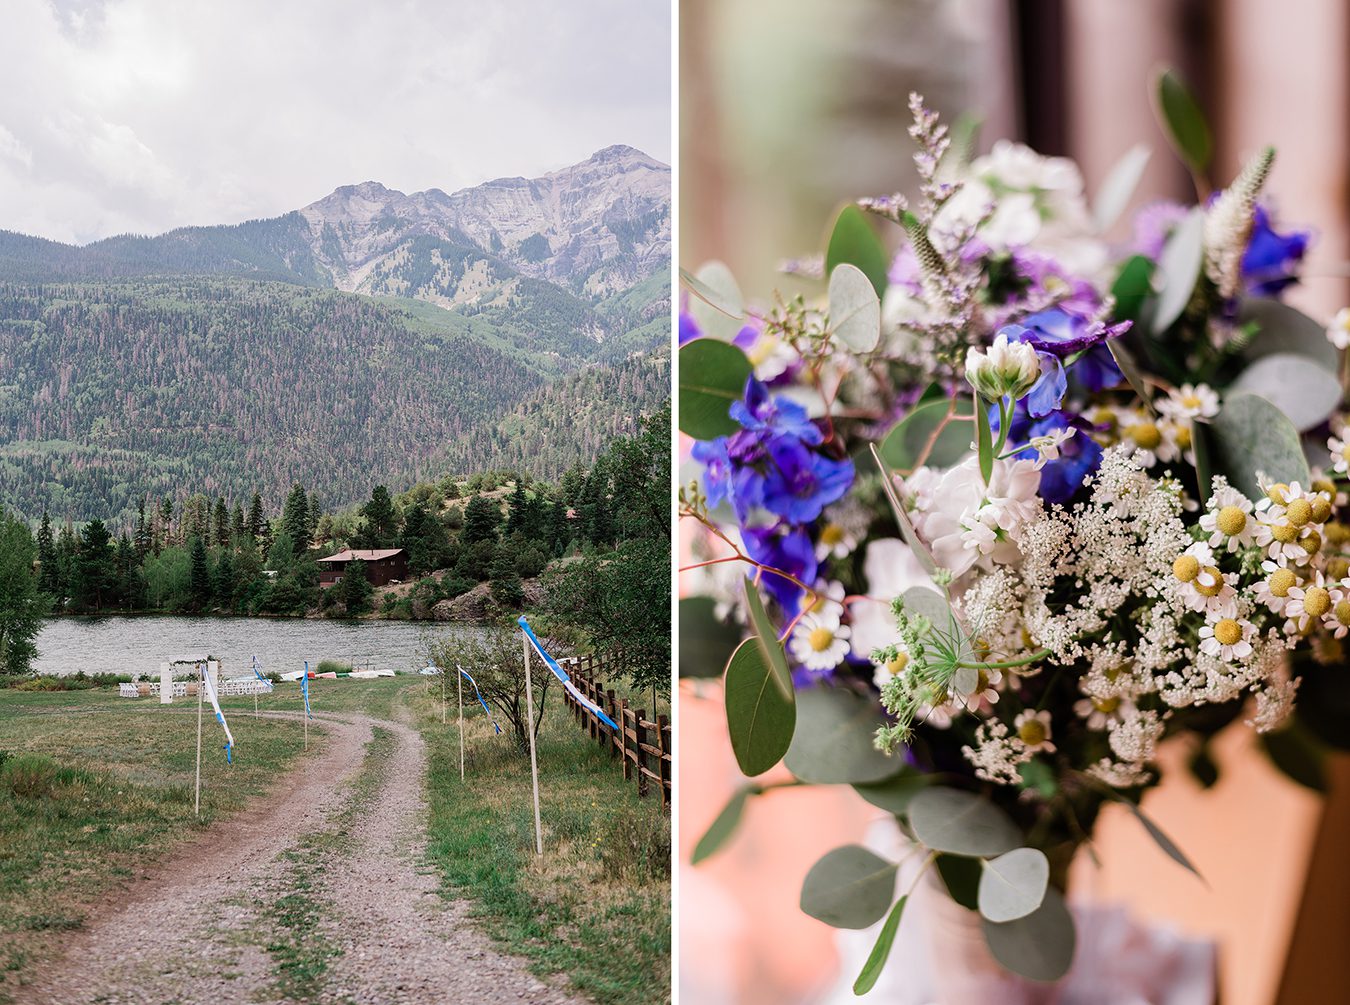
(1249, 436)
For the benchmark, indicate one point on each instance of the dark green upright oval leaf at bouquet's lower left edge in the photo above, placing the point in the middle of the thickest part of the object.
(759, 718)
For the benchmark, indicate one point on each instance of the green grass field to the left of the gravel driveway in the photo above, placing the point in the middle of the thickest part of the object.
(91, 787)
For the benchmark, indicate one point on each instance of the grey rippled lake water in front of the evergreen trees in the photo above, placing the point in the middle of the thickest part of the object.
(141, 645)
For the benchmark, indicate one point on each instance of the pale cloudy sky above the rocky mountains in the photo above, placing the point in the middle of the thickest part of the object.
(145, 115)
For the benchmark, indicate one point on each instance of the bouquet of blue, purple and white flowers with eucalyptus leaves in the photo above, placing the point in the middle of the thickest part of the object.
(1009, 507)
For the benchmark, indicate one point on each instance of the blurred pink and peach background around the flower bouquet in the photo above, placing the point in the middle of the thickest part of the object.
(790, 109)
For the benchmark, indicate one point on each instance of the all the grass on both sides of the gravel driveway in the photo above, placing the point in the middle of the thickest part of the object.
(94, 781)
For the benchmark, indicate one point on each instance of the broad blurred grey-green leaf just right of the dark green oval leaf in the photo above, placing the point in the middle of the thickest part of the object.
(834, 744)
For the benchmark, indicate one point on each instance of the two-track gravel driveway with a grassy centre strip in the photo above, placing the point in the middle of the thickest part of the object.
(319, 895)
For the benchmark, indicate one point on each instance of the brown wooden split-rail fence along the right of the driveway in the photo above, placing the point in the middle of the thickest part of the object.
(643, 746)
